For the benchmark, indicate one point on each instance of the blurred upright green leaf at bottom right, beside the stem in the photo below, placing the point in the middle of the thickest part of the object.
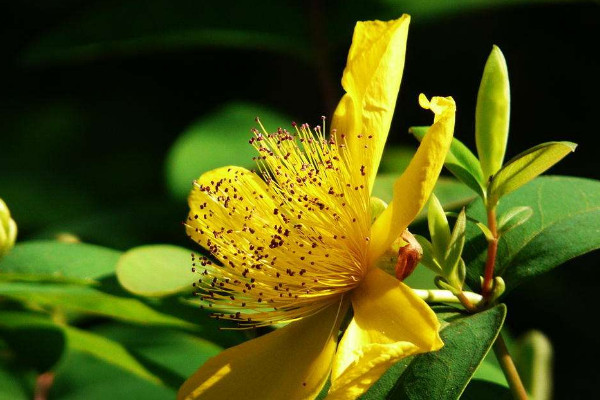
(534, 360)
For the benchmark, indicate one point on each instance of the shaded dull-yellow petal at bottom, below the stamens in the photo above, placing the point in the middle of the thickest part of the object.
(290, 363)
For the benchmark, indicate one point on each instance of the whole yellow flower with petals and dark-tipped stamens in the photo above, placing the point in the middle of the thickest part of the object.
(298, 246)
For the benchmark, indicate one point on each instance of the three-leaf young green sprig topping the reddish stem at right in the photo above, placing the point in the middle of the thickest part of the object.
(488, 176)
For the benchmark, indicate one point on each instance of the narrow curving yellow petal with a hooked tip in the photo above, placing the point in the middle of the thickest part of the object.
(414, 186)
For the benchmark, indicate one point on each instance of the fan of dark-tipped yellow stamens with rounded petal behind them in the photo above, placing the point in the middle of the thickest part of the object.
(286, 240)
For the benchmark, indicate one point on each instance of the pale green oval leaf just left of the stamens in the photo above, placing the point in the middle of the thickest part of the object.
(156, 270)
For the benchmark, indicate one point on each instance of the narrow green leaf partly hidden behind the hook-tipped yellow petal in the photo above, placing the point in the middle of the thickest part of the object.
(460, 161)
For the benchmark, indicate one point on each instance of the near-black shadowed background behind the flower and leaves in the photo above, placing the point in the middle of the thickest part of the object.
(94, 93)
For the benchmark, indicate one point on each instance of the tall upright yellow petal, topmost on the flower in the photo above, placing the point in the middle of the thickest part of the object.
(371, 80)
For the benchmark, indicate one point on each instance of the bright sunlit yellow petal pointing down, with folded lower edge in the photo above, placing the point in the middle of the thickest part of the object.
(389, 323)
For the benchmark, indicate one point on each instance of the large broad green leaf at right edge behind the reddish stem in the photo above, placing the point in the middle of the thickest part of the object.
(565, 224)
